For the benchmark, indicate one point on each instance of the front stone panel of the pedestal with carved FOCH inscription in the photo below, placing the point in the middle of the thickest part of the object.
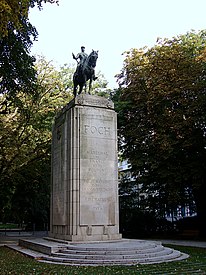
(97, 168)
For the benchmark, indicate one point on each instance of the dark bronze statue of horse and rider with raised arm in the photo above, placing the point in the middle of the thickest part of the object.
(85, 70)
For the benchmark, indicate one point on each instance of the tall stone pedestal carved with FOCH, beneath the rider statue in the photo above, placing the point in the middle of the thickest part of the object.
(84, 197)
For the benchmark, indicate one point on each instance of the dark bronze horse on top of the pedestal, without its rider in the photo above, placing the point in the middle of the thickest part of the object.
(84, 73)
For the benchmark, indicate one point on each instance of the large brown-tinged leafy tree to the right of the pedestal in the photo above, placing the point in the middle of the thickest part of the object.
(162, 107)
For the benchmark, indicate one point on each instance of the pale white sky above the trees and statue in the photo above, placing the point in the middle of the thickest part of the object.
(112, 27)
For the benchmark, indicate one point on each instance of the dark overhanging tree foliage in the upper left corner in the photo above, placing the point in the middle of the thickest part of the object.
(17, 71)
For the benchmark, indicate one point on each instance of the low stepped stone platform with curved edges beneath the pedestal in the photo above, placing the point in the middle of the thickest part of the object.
(119, 252)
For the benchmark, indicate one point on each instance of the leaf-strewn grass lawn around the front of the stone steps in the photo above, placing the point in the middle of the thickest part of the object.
(12, 262)
